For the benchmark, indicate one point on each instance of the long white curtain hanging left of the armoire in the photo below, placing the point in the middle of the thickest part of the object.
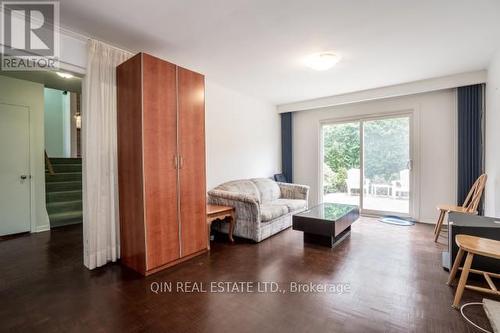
(101, 230)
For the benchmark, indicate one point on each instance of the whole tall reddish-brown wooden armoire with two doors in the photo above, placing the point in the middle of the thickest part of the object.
(161, 163)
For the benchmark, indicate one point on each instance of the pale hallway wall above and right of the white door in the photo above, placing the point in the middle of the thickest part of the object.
(30, 94)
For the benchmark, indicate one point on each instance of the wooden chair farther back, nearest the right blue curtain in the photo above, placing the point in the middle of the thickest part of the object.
(469, 206)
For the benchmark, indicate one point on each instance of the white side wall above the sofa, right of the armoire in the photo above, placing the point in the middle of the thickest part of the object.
(243, 136)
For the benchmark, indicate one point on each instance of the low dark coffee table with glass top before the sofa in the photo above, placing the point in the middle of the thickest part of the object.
(326, 224)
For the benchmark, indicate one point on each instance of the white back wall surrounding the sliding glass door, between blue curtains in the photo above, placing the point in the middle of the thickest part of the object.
(434, 161)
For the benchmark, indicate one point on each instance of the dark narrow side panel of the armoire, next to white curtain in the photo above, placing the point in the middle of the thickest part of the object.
(130, 172)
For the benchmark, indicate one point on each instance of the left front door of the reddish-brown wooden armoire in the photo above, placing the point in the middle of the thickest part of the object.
(160, 149)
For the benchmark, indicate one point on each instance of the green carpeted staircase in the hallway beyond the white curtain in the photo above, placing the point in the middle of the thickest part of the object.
(64, 191)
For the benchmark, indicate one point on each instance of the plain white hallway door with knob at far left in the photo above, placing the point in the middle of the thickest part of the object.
(14, 170)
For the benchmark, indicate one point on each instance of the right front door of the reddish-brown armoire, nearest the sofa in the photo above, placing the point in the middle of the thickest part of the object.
(192, 187)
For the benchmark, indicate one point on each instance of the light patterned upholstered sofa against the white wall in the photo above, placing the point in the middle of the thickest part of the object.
(263, 207)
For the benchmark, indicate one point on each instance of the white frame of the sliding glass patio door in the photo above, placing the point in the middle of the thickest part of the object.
(414, 128)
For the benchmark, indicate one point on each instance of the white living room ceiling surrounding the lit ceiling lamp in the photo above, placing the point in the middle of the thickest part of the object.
(256, 46)
